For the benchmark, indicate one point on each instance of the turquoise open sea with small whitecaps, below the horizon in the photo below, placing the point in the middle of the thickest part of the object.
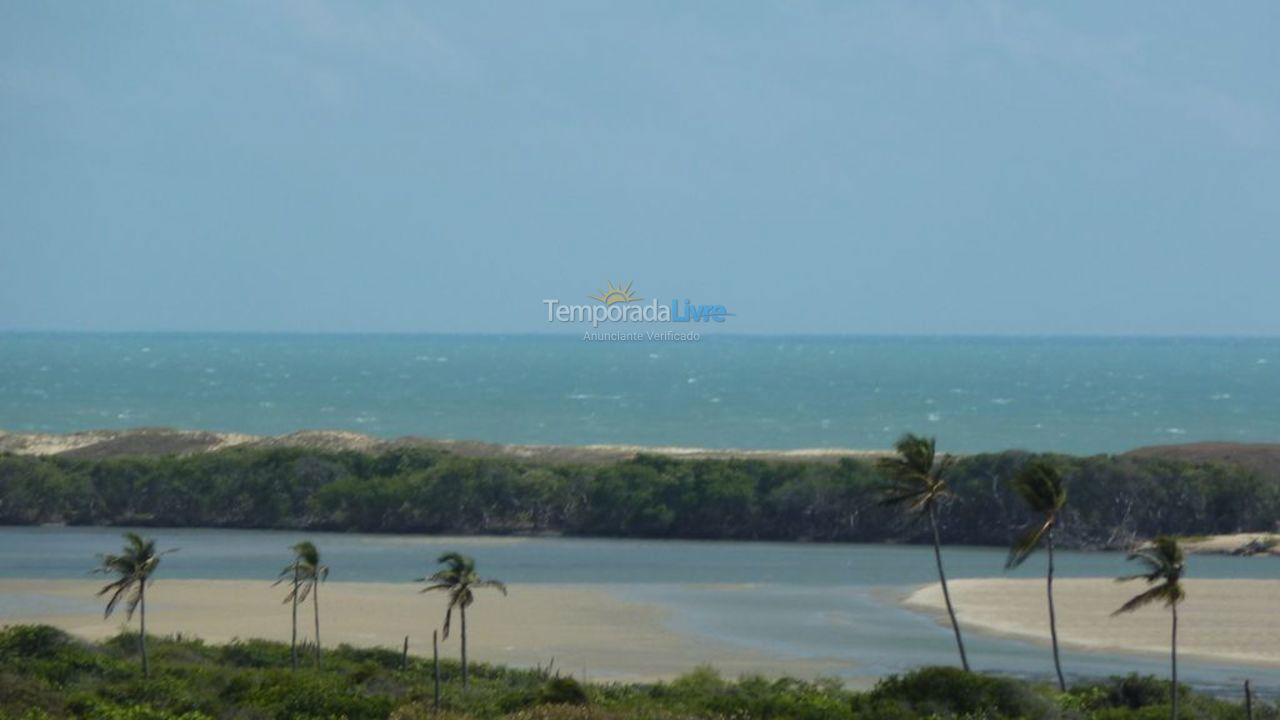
(975, 394)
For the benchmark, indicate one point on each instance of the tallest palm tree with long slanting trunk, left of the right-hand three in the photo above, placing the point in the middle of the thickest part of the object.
(918, 484)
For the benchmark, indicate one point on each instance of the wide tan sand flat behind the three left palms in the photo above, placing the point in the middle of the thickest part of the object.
(582, 627)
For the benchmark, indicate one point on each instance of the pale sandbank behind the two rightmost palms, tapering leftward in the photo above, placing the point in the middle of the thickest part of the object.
(1232, 621)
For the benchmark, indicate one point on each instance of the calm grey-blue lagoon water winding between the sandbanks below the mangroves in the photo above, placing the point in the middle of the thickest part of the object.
(799, 601)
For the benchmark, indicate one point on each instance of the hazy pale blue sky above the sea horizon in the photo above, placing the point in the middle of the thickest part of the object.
(962, 168)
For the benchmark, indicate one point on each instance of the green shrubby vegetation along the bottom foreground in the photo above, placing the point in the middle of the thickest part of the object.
(45, 673)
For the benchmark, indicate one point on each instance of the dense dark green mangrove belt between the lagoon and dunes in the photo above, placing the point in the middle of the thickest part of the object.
(1114, 499)
